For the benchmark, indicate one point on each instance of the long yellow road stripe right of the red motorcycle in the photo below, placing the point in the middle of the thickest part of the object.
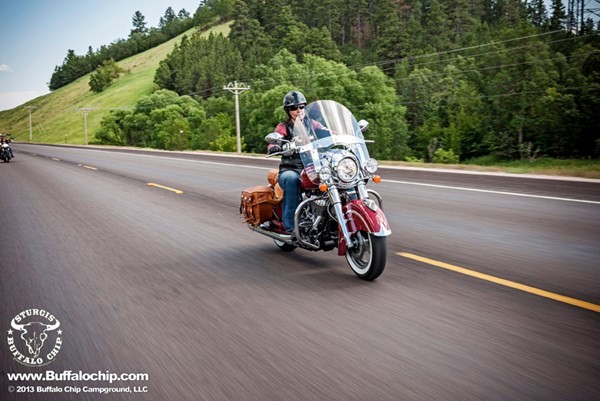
(507, 283)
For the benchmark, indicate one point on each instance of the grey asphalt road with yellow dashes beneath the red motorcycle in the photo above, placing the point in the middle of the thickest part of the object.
(491, 290)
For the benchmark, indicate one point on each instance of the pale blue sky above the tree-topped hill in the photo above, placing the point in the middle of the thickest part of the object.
(35, 36)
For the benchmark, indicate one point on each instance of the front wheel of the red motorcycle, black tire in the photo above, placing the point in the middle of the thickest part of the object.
(367, 258)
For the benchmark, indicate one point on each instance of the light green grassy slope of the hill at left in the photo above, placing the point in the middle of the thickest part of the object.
(56, 118)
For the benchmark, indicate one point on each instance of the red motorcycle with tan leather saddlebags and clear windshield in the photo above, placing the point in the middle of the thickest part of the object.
(336, 209)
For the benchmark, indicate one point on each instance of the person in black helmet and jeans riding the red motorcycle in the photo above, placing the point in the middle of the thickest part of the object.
(291, 166)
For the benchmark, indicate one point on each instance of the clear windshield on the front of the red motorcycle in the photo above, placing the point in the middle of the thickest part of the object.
(323, 125)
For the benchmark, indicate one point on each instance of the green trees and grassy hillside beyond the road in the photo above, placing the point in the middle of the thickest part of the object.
(506, 85)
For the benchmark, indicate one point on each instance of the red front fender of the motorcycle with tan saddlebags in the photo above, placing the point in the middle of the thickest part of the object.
(359, 217)
